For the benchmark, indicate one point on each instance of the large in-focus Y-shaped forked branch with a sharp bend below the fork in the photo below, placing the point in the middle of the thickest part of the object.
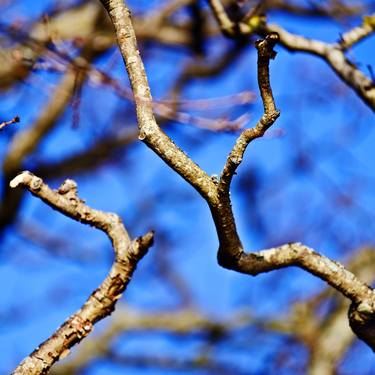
(231, 254)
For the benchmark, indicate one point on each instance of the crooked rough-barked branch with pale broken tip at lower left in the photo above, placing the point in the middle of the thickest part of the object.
(102, 301)
